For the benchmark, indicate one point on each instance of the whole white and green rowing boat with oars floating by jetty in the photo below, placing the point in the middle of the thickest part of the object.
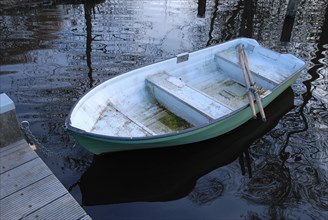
(186, 99)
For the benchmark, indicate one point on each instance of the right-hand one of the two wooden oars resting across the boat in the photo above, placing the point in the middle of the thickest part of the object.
(252, 84)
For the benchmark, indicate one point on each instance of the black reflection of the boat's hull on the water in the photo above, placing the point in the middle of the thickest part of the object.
(171, 173)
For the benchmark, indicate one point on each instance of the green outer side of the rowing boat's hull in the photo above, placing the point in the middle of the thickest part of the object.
(100, 145)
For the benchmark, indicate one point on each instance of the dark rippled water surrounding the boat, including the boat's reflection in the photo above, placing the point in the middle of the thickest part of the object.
(52, 53)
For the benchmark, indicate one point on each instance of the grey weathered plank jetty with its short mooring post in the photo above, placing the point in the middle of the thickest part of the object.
(28, 188)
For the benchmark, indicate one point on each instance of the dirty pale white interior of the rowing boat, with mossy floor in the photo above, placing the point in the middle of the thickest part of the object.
(194, 93)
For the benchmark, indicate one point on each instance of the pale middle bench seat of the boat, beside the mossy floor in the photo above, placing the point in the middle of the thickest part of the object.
(185, 101)
